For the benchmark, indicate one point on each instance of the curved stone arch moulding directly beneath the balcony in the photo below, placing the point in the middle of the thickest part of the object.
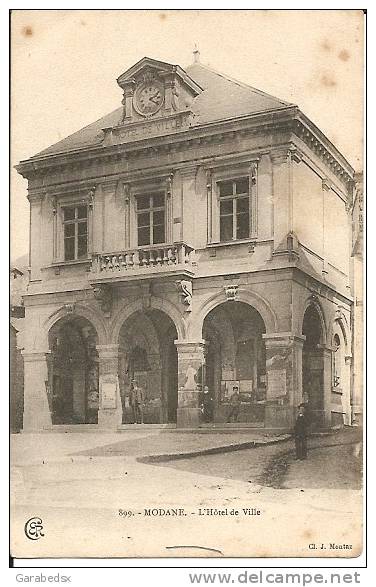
(128, 309)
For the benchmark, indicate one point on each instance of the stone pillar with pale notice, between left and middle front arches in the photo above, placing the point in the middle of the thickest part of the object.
(110, 409)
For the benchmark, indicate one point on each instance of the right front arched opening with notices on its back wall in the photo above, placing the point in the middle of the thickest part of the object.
(235, 366)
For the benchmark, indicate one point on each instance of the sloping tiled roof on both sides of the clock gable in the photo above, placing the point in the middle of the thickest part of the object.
(222, 98)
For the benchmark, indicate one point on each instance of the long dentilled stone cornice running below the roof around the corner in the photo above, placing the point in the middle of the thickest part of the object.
(285, 119)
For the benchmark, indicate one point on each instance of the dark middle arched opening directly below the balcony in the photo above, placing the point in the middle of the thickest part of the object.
(148, 358)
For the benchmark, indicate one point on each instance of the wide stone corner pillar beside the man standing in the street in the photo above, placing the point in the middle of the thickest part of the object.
(283, 378)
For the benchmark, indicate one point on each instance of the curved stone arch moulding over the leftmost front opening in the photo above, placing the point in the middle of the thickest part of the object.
(72, 311)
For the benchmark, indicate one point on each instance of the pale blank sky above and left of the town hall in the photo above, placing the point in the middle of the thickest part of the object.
(64, 65)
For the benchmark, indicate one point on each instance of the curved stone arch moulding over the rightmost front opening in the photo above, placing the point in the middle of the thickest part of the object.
(248, 297)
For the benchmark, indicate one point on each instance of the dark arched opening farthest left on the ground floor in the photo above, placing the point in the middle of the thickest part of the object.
(73, 387)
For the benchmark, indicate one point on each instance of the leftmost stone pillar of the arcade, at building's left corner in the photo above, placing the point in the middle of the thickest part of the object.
(37, 413)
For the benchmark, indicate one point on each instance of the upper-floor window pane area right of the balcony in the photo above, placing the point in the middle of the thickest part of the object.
(234, 209)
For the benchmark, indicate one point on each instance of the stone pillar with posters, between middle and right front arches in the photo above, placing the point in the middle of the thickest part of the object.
(191, 362)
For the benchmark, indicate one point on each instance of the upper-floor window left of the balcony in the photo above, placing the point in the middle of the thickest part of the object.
(75, 232)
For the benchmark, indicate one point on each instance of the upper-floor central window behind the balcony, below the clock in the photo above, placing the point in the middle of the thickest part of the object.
(150, 210)
